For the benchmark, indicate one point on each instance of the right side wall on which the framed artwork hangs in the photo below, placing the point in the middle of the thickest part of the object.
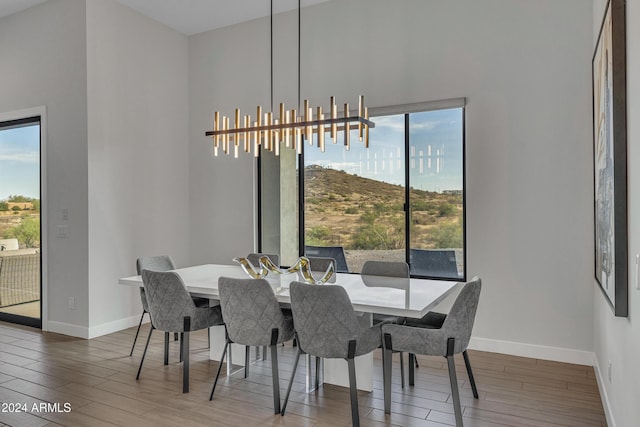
(616, 340)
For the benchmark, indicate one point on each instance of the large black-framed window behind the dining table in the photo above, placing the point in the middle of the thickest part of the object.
(402, 199)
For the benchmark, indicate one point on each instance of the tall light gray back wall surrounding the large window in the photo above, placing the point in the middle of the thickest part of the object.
(524, 67)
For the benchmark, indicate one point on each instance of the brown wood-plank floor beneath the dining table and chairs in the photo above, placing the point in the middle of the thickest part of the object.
(97, 379)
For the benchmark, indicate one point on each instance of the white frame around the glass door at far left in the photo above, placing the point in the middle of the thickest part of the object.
(44, 247)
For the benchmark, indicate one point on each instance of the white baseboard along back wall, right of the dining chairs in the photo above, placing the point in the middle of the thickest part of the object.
(556, 354)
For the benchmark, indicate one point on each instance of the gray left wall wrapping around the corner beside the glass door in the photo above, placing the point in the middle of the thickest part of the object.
(115, 88)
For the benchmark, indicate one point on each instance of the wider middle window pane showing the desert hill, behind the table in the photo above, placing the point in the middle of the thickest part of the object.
(354, 199)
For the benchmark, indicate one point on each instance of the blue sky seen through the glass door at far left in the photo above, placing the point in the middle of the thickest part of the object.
(20, 161)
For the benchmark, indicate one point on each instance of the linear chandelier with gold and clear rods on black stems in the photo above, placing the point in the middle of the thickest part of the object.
(291, 128)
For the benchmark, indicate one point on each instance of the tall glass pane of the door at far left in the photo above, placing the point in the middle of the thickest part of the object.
(20, 220)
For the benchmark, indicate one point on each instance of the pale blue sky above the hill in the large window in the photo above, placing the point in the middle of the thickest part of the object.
(435, 151)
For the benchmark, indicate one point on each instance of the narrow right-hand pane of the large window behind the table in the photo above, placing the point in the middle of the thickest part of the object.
(436, 196)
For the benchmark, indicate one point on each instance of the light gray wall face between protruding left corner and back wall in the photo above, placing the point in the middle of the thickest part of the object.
(138, 154)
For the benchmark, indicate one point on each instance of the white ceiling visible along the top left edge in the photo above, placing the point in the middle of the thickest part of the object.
(188, 16)
